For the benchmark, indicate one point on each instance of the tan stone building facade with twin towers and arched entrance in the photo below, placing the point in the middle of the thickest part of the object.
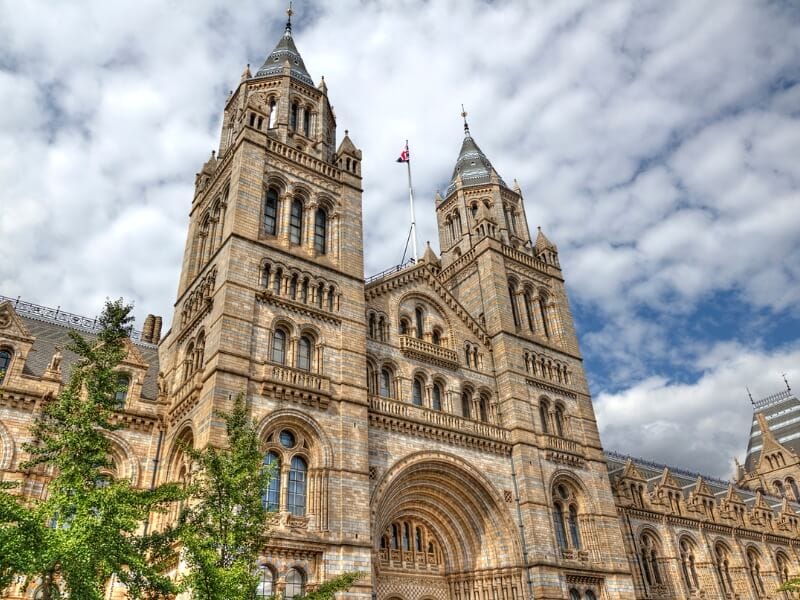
(432, 425)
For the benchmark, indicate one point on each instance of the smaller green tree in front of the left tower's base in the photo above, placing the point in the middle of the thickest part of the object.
(226, 523)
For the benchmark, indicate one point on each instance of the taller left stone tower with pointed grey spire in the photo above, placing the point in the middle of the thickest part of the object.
(271, 304)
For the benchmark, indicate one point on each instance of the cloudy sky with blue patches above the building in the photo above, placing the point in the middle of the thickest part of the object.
(655, 142)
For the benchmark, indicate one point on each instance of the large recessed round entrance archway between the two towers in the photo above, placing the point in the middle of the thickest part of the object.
(440, 530)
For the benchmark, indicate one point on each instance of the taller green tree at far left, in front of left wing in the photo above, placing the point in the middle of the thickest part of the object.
(90, 526)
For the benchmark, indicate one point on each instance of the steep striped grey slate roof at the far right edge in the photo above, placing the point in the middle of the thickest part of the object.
(782, 413)
